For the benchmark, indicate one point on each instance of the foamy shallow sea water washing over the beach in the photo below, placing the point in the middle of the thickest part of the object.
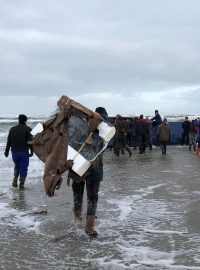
(148, 215)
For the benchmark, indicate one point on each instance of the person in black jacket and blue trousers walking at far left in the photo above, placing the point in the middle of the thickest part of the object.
(19, 140)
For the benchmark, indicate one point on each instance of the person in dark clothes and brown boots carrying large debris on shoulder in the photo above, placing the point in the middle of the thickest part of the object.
(92, 182)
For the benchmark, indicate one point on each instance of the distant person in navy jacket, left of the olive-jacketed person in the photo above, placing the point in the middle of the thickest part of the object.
(142, 132)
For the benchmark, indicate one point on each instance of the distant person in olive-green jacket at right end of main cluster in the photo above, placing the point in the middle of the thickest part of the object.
(164, 135)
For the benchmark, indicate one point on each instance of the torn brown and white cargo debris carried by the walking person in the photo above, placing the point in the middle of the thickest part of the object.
(72, 137)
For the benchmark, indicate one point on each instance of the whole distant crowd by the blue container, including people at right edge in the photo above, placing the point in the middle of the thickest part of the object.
(140, 132)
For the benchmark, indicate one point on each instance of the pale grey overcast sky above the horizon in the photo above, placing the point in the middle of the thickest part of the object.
(130, 56)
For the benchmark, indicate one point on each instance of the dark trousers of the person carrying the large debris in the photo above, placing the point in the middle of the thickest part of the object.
(92, 188)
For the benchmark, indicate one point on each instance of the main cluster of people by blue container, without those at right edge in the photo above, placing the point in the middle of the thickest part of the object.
(139, 132)
